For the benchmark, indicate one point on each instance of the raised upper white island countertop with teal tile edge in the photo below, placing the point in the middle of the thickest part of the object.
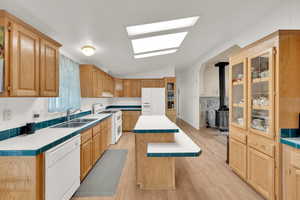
(155, 124)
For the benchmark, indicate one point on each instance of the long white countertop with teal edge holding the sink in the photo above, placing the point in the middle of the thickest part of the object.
(43, 139)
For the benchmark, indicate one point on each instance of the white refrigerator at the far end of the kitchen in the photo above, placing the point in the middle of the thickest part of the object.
(153, 101)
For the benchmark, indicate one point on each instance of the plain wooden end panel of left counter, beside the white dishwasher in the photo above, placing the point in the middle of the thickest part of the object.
(21, 178)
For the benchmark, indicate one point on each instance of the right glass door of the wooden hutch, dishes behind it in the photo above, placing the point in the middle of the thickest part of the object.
(261, 95)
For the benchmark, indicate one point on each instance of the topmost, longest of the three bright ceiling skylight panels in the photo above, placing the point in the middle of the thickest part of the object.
(161, 26)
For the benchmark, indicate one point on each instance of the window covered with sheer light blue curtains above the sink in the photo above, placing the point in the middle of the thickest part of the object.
(69, 87)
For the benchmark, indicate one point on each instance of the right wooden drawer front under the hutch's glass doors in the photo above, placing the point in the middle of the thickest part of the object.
(262, 145)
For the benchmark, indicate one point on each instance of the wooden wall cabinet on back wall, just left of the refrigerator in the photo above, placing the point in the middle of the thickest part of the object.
(132, 88)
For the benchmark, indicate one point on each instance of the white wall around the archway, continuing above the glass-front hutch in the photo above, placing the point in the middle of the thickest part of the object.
(285, 17)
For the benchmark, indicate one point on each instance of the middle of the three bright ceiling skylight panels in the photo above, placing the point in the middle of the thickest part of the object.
(155, 43)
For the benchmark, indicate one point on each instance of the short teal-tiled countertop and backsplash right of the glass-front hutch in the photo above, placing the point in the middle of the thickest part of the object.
(290, 137)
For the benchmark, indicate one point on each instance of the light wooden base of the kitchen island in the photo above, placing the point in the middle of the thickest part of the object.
(154, 173)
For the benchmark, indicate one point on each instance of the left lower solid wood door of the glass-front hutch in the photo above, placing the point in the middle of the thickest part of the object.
(238, 157)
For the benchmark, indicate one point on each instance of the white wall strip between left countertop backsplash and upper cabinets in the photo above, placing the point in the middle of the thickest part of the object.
(22, 110)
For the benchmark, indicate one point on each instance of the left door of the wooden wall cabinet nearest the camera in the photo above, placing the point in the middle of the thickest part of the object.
(25, 65)
